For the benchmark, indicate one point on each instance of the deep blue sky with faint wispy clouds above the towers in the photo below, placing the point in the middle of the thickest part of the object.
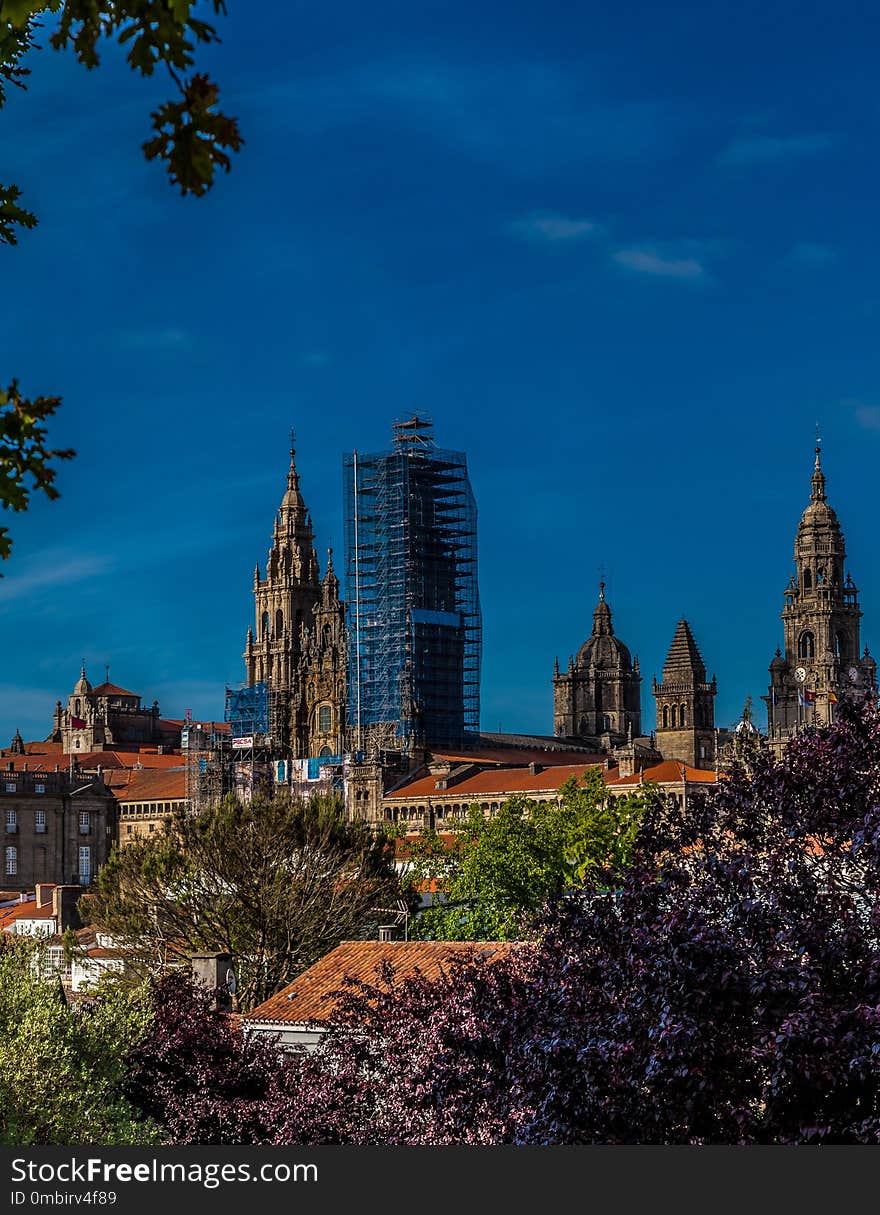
(624, 256)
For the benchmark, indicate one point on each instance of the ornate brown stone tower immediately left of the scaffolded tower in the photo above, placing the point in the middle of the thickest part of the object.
(298, 645)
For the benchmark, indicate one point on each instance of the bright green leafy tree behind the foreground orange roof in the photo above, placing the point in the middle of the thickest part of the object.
(494, 879)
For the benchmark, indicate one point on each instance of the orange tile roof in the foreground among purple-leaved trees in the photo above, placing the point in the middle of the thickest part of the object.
(311, 996)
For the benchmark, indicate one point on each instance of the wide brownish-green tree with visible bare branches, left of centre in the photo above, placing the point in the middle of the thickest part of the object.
(277, 884)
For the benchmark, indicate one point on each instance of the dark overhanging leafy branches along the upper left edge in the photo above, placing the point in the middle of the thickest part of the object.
(189, 133)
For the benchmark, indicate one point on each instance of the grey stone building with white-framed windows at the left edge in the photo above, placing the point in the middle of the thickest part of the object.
(58, 827)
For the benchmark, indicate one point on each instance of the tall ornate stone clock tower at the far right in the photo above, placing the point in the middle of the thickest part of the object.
(823, 663)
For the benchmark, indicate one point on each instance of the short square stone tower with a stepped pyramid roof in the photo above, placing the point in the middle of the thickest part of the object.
(686, 704)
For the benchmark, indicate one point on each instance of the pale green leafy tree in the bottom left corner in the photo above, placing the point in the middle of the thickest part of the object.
(63, 1070)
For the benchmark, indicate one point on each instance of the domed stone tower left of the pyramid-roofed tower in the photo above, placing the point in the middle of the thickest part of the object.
(599, 697)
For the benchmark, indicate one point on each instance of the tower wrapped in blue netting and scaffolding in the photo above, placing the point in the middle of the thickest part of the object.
(416, 629)
